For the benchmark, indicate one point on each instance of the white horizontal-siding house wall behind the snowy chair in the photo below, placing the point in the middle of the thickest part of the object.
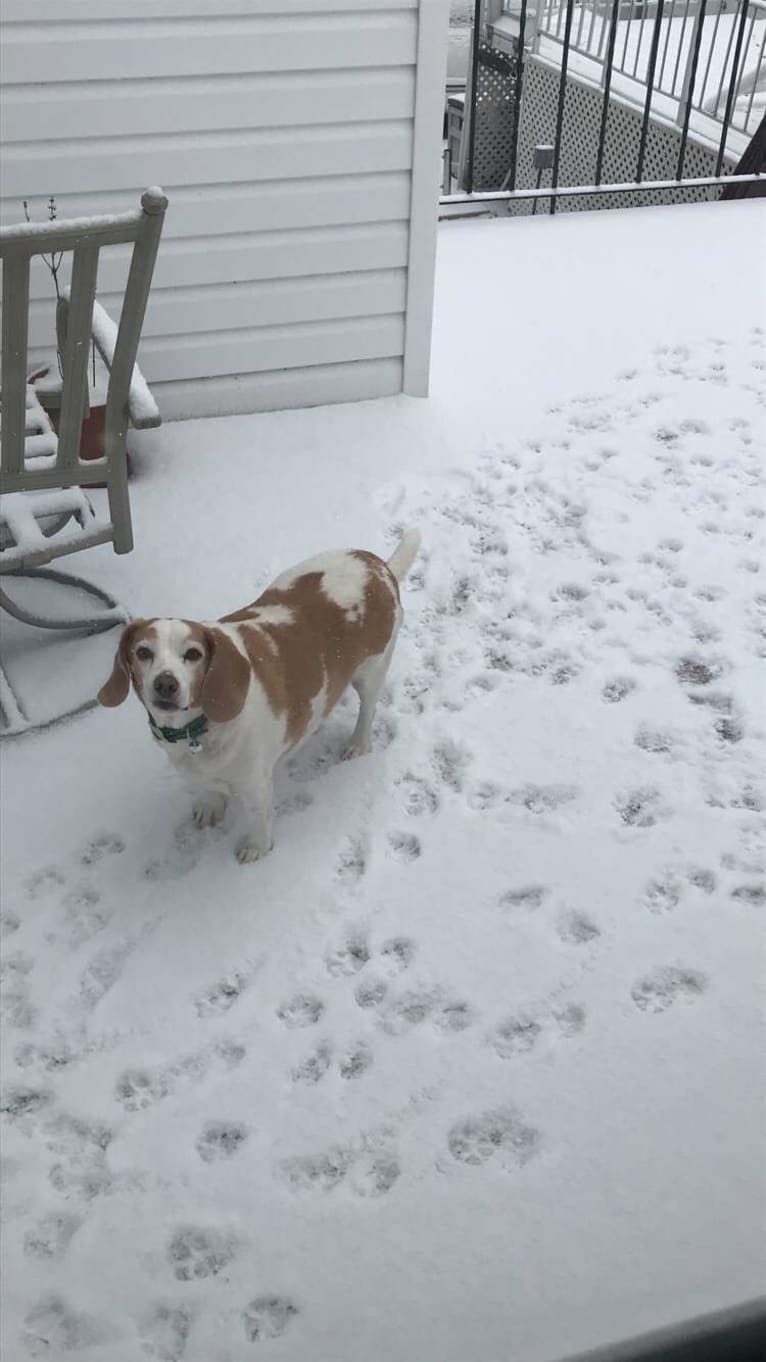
(299, 145)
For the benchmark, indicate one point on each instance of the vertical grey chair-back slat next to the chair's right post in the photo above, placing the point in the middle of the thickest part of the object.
(77, 352)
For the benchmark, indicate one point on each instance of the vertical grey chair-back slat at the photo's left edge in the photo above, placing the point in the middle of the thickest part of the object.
(13, 374)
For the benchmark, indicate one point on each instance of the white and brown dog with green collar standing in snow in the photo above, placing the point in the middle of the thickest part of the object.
(228, 701)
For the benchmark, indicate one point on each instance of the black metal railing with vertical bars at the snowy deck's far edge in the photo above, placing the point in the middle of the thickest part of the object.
(690, 44)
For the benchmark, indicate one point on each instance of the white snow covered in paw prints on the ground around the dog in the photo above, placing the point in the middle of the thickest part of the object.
(471, 1066)
